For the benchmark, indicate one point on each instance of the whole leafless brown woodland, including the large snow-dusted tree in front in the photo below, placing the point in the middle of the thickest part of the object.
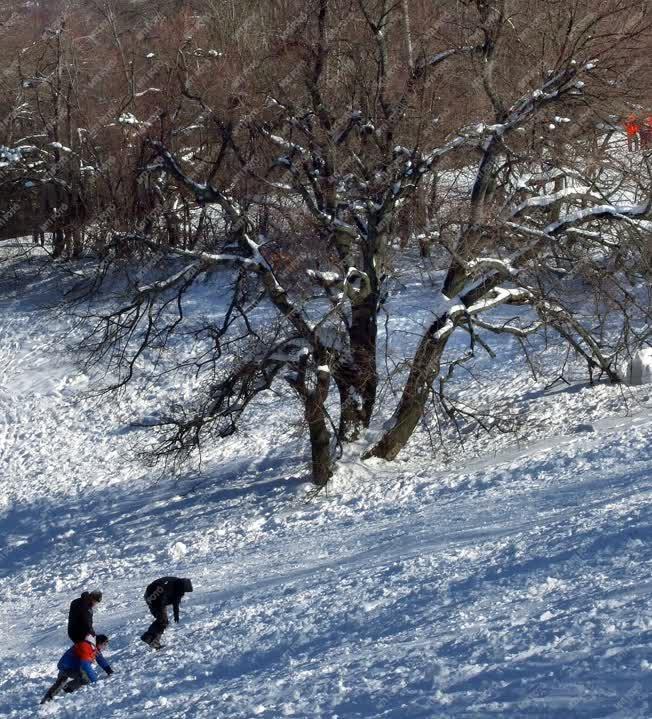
(302, 152)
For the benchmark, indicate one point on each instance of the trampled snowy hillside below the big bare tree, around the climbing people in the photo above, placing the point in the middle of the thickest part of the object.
(510, 578)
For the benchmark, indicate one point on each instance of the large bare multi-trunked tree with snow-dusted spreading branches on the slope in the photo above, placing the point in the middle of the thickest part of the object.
(309, 191)
